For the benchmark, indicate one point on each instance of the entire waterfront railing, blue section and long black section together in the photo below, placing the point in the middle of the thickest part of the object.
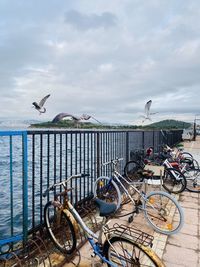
(46, 157)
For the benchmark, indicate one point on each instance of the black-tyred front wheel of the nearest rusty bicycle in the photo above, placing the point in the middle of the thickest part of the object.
(59, 228)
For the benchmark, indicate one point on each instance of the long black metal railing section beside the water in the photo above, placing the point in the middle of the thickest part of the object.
(55, 155)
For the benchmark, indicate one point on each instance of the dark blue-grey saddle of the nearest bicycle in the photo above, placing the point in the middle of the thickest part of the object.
(105, 209)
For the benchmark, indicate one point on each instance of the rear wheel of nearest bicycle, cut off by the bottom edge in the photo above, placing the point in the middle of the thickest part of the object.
(124, 252)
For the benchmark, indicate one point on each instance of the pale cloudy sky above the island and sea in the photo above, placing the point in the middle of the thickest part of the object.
(103, 58)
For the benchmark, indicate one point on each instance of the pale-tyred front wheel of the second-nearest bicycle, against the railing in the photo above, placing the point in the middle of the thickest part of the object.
(107, 190)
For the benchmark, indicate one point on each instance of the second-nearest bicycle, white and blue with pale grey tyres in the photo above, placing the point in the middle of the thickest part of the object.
(158, 206)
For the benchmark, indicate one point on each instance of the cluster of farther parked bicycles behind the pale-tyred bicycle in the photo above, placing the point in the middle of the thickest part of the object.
(181, 169)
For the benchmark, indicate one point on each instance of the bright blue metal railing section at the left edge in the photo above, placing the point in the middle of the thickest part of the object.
(9, 196)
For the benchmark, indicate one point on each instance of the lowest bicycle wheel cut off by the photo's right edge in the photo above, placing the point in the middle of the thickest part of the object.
(193, 180)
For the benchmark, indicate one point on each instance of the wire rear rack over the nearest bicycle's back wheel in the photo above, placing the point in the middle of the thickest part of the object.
(130, 233)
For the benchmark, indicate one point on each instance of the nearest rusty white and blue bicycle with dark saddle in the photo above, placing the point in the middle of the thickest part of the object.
(123, 246)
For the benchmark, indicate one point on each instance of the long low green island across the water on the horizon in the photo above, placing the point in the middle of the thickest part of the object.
(68, 124)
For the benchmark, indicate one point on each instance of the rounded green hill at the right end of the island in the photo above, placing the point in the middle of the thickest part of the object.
(168, 124)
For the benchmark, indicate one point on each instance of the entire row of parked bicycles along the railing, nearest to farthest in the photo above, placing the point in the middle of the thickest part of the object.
(123, 245)
